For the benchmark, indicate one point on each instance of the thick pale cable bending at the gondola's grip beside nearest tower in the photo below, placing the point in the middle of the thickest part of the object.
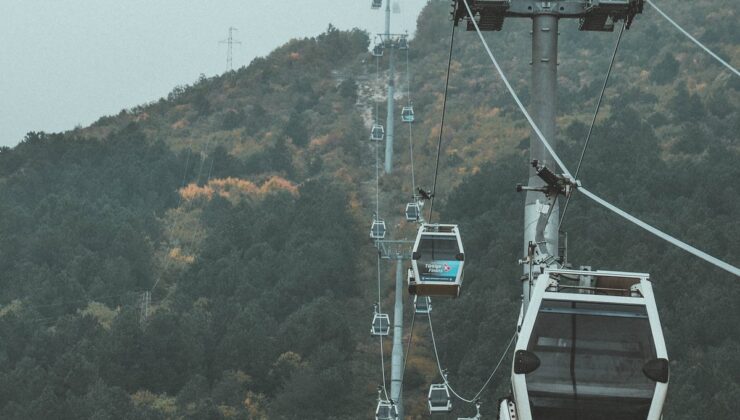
(686, 247)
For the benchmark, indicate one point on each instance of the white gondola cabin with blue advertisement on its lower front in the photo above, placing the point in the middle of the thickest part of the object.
(437, 261)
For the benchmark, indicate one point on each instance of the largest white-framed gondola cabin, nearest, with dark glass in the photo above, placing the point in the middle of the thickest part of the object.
(590, 347)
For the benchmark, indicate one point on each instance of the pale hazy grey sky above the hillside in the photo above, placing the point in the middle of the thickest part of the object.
(69, 62)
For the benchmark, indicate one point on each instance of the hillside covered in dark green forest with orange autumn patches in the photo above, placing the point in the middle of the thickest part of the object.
(243, 201)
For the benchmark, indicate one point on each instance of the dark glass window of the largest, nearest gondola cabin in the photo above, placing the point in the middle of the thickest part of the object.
(591, 359)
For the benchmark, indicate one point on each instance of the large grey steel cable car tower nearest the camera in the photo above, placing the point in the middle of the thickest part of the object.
(593, 15)
